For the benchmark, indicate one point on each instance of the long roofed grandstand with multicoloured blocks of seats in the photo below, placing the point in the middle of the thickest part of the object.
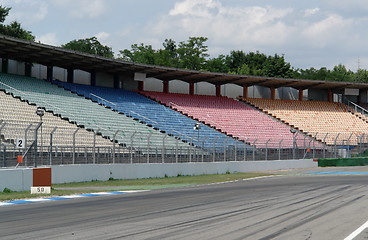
(147, 113)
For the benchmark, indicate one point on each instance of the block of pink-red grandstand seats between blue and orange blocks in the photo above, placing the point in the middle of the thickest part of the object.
(231, 117)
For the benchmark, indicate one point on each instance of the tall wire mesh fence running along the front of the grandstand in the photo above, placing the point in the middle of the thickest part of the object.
(55, 146)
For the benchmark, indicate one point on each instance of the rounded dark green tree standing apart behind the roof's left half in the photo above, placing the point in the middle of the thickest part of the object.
(89, 45)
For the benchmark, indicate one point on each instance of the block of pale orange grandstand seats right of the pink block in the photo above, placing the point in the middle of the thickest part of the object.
(315, 117)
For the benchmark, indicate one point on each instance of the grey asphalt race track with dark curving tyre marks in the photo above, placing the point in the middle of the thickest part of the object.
(311, 206)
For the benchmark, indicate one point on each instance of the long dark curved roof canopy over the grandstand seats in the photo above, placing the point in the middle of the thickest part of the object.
(27, 51)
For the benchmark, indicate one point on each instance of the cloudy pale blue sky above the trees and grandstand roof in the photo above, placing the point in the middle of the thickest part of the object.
(309, 33)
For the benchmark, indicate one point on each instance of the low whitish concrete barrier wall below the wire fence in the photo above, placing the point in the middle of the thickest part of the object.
(21, 179)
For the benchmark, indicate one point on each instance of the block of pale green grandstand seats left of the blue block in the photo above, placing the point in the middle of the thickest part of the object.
(85, 113)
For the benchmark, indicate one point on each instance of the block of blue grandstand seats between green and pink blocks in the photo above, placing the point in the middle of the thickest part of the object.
(157, 115)
